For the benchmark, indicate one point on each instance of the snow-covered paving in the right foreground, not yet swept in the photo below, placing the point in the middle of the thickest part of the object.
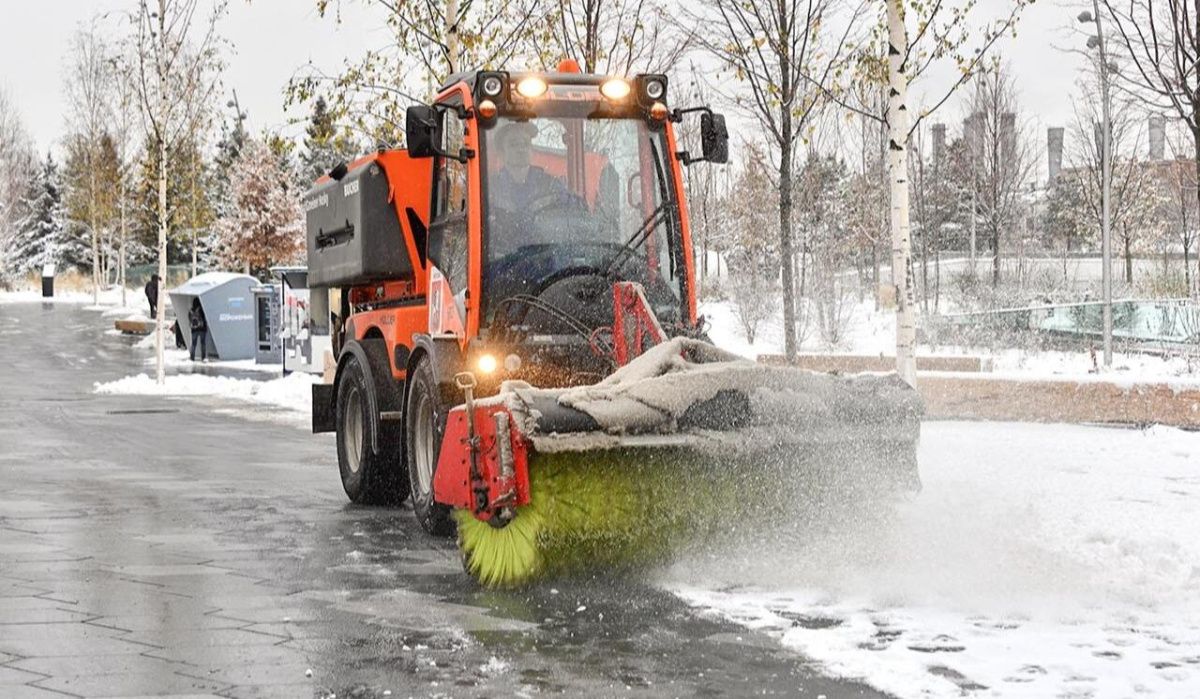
(1039, 561)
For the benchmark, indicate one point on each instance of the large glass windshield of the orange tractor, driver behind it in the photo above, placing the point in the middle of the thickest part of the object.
(571, 198)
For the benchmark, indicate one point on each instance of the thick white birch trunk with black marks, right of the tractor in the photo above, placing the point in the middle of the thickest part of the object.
(898, 162)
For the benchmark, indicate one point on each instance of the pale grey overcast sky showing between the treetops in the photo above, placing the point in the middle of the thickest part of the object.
(272, 39)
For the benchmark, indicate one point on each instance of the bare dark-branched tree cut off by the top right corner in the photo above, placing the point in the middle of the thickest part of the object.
(1159, 53)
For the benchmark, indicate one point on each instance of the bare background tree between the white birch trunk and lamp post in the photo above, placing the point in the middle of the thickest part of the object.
(1003, 158)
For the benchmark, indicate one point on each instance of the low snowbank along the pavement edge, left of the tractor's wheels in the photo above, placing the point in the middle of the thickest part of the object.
(292, 392)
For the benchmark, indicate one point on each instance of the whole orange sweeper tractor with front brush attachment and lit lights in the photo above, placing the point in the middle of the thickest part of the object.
(512, 294)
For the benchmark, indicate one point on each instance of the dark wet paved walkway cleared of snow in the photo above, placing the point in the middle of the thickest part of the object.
(190, 547)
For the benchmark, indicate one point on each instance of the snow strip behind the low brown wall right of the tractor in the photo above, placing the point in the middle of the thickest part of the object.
(871, 332)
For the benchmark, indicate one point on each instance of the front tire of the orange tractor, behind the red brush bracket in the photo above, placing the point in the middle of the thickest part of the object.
(425, 421)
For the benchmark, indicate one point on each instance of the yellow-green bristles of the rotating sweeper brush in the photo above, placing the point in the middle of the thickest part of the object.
(608, 510)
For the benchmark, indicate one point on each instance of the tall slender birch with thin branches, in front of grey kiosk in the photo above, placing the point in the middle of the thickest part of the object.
(177, 65)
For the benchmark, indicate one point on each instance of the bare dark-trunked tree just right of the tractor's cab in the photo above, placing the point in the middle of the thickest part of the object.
(787, 53)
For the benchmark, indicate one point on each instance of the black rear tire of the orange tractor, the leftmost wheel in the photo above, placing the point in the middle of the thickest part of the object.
(369, 479)
